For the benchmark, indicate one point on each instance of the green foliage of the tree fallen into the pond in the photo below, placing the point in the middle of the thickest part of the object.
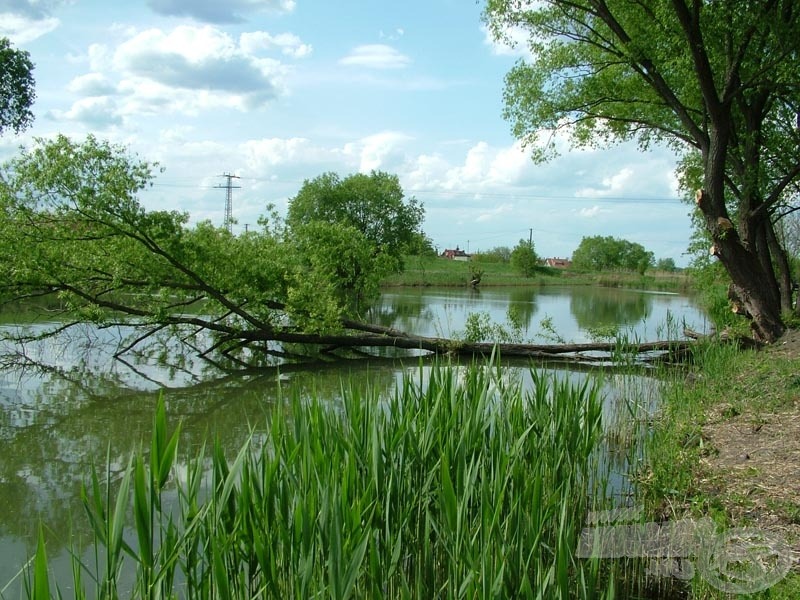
(73, 228)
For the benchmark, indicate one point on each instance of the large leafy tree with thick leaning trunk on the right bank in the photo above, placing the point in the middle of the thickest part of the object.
(717, 81)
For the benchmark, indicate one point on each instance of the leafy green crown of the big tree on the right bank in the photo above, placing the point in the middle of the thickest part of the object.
(628, 71)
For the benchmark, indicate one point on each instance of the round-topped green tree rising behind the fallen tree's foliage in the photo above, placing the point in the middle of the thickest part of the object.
(373, 204)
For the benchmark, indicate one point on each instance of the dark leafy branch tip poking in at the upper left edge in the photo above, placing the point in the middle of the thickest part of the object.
(16, 88)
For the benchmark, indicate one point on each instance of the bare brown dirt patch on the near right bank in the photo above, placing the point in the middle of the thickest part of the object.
(753, 448)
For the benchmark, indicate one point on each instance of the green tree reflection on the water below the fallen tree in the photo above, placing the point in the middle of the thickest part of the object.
(54, 432)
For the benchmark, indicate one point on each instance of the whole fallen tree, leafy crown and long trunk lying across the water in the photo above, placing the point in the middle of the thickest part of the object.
(74, 237)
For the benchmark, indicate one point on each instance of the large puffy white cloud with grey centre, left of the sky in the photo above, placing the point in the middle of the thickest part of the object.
(185, 70)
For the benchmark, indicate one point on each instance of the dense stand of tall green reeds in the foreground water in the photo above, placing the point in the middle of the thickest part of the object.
(464, 487)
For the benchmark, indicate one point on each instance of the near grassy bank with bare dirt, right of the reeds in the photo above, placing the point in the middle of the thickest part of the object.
(727, 447)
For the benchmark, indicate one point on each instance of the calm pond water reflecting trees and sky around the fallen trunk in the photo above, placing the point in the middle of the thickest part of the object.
(82, 406)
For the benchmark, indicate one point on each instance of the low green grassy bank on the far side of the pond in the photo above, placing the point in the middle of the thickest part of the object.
(440, 272)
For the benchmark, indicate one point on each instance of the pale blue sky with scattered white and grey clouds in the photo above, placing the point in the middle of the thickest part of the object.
(278, 92)
